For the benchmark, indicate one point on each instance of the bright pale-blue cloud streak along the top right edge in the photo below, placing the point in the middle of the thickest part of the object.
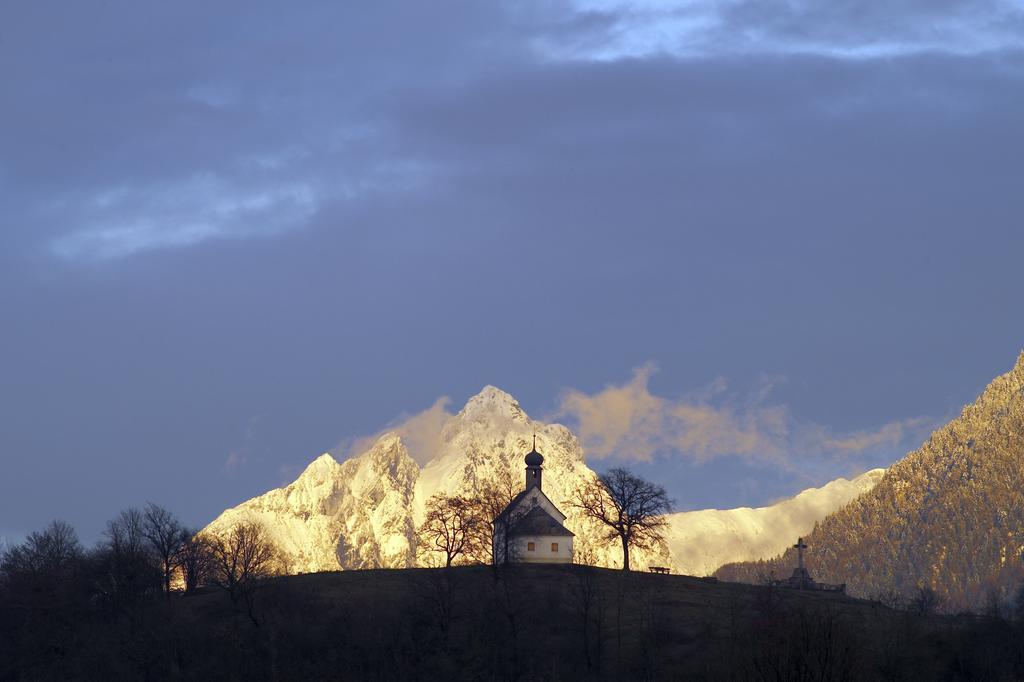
(692, 29)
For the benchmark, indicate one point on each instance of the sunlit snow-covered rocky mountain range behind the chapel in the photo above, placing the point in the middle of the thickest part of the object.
(363, 514)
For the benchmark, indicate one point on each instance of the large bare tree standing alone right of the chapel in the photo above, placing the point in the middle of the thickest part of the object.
(631, 509)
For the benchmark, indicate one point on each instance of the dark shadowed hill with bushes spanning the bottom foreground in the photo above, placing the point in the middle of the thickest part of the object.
(68, 615)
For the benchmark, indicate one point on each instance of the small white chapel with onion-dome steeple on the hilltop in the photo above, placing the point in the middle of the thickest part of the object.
(530, 530)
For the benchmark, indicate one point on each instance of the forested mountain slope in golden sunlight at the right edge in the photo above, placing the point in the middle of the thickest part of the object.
(950, 516)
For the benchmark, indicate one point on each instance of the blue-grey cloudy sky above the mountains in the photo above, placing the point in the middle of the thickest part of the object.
(742, 247)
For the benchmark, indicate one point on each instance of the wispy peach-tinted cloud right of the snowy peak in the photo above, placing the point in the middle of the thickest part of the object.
(629, 422)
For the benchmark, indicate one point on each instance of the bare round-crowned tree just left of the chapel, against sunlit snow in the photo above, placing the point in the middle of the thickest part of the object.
(452, 528)
